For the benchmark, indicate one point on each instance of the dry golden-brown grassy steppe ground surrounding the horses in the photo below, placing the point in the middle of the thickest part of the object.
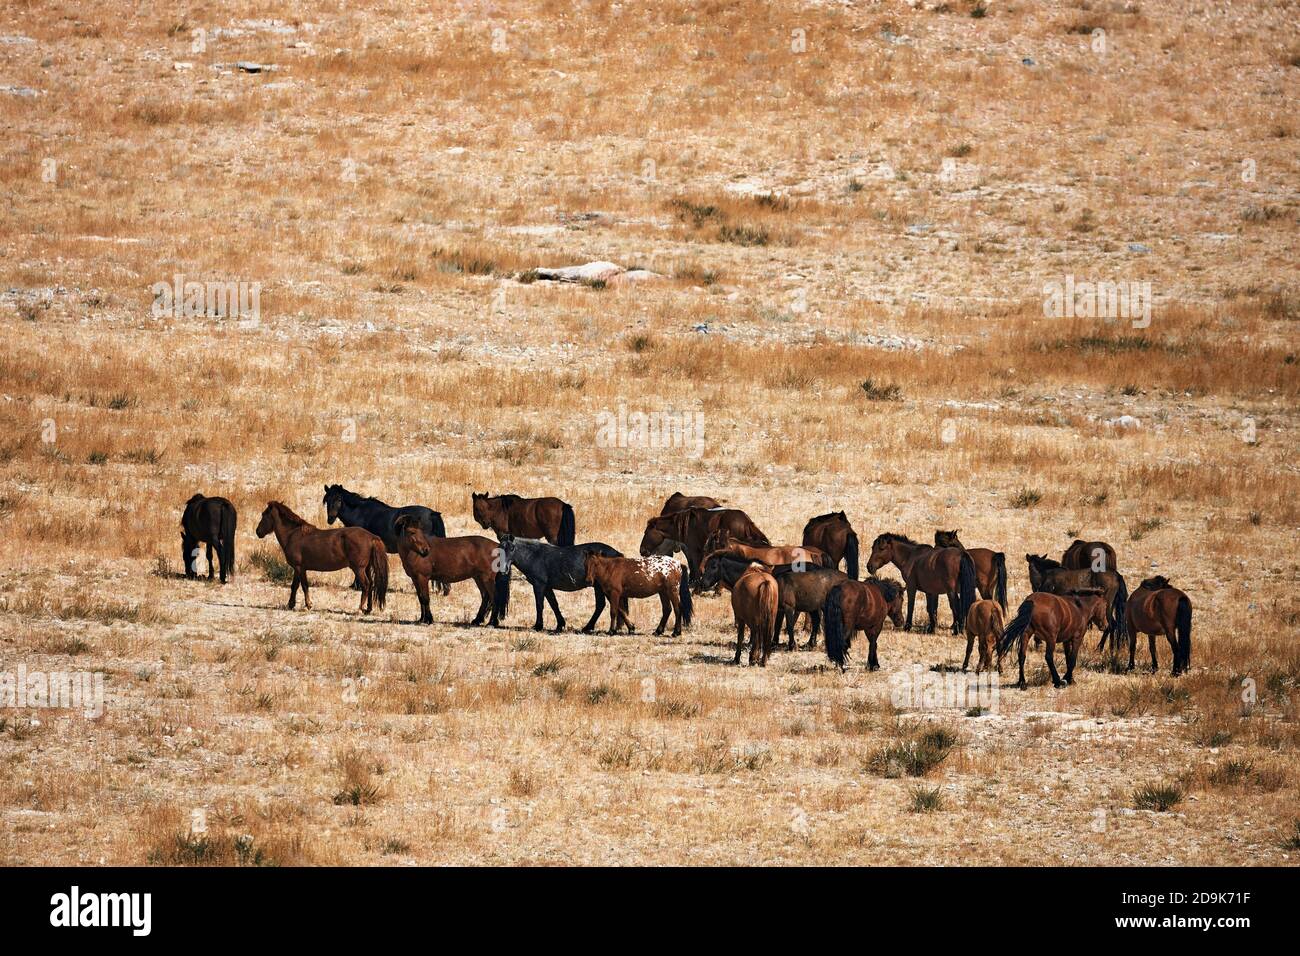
(853, 210)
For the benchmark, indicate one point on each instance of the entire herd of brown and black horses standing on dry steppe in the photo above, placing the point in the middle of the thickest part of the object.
(770, 585)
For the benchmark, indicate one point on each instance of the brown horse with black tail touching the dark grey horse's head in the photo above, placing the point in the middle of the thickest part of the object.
(450, 560)
